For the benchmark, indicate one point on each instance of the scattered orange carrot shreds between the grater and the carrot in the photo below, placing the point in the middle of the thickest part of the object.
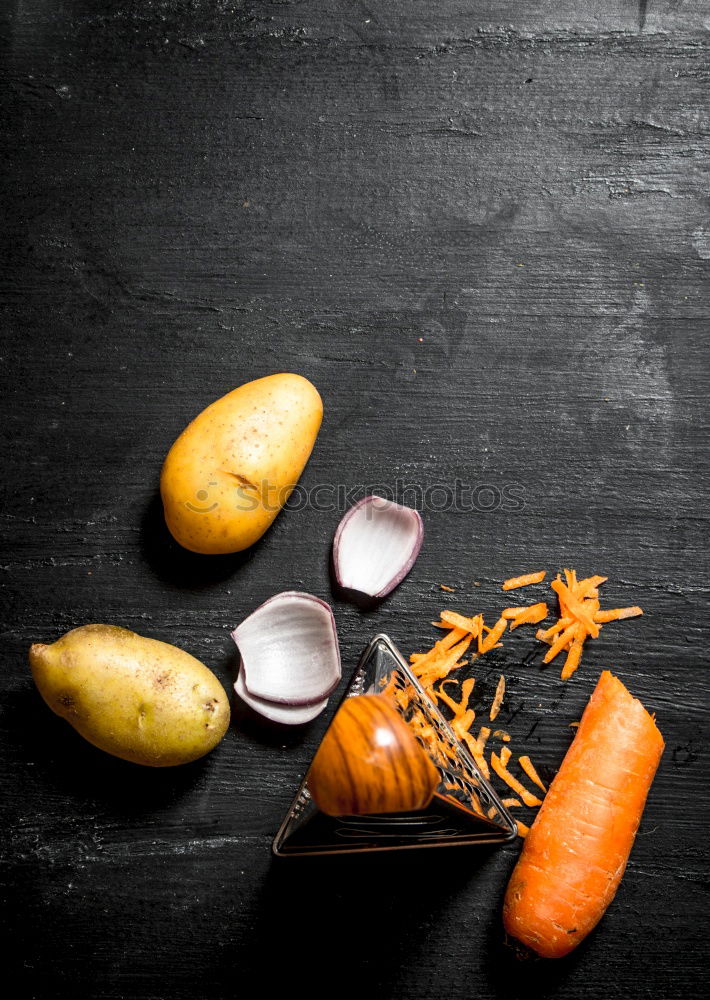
(580, 617)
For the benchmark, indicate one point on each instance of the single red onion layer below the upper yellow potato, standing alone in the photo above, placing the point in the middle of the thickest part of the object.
(376, 545)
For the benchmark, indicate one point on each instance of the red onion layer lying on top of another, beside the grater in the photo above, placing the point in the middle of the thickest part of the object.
(289, 649)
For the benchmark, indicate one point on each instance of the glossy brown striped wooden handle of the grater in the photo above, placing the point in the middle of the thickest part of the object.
(370, 762)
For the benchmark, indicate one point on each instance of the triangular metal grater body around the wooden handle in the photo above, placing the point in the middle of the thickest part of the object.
(464, 809)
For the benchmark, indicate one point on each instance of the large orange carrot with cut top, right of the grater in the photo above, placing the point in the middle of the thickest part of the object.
(576, 852)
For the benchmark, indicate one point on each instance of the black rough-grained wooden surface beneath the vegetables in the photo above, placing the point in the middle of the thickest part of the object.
(482, 230)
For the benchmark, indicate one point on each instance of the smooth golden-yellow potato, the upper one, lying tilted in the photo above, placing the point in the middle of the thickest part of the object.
(233, 468)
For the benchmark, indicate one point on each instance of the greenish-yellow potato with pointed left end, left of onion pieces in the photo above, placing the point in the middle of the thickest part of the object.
(136, 698)
